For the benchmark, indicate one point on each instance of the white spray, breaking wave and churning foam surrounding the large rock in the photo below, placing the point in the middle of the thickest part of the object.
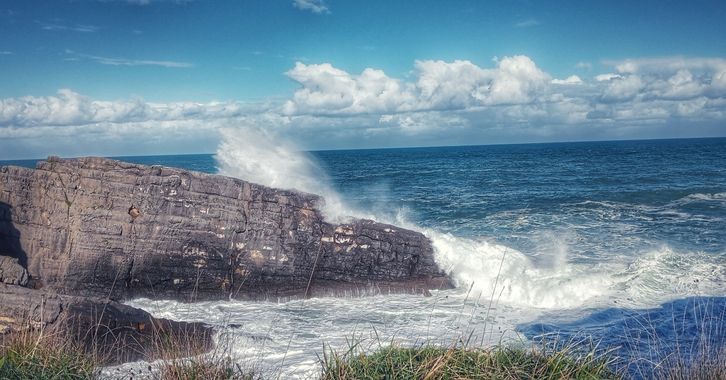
(499, 287)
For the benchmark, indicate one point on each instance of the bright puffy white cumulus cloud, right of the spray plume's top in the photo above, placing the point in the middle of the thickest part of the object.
(439, 85)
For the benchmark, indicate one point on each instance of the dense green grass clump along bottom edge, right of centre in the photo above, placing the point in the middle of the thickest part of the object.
(433, 362)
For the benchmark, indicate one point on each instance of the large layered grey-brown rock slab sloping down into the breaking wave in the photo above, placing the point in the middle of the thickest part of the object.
(99, 227)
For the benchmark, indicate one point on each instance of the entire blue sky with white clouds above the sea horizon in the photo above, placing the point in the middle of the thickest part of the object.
(136, 77)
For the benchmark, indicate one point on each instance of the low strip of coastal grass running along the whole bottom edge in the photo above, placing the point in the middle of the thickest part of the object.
(47, 355)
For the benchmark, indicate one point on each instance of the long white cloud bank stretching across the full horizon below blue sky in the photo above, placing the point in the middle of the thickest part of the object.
(441, 102)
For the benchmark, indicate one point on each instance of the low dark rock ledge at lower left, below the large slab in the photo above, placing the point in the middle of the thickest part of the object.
(117, 333)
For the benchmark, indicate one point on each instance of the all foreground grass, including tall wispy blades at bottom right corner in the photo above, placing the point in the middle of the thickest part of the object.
(47, 354)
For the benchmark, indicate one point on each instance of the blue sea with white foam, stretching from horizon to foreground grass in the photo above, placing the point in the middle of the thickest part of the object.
(618, 243)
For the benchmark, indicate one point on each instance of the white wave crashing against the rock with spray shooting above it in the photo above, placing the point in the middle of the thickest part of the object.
(495, 272)
